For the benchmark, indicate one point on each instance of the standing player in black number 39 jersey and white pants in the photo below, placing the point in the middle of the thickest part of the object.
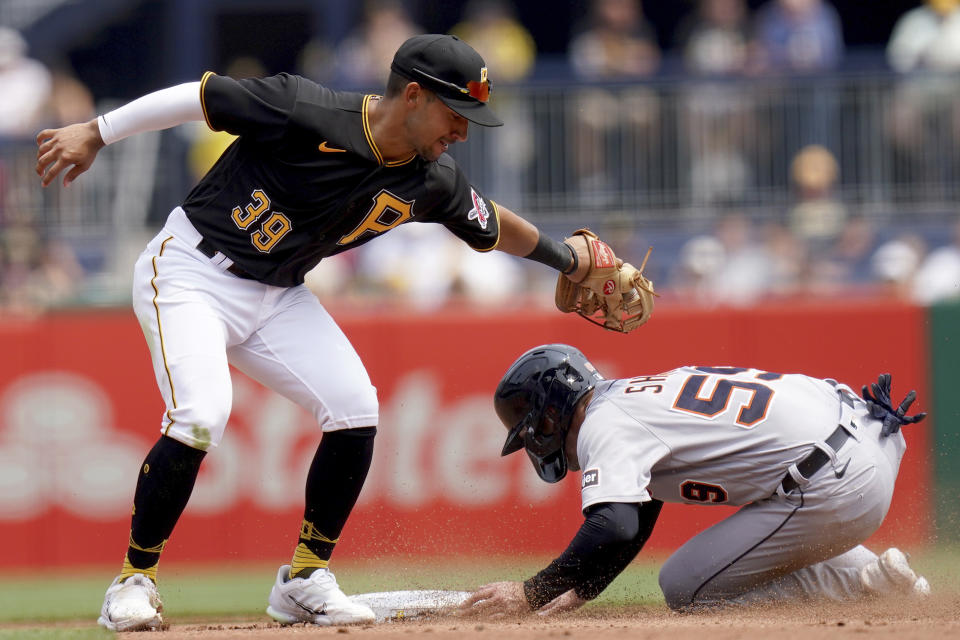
(312, 173)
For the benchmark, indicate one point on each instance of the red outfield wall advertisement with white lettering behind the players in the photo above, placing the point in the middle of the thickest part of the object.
(79, 410)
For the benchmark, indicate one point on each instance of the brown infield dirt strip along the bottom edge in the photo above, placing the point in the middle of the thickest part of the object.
(937, 617)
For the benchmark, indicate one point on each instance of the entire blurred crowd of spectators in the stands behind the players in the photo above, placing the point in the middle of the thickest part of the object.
(814, 248)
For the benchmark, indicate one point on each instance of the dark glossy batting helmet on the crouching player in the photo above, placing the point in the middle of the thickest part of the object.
(536, 399)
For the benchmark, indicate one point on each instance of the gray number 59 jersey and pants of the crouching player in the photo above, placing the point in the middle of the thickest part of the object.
(723, 435)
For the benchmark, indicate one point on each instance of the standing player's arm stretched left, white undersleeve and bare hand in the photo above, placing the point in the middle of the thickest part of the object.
(76, 145)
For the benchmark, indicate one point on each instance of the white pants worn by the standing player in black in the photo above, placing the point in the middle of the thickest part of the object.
(198, 319)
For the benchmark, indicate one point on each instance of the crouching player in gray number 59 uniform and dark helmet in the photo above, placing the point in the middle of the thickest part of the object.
(811, 464)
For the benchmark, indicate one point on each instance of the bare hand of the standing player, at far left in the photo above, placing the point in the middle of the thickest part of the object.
(75, 146)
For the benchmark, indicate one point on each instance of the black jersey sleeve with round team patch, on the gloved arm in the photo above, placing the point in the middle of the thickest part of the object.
(462, 209)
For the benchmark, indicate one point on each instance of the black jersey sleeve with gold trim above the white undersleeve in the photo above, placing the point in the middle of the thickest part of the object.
(257, 108)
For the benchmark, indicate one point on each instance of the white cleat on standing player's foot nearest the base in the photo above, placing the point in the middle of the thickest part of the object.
(317, 600)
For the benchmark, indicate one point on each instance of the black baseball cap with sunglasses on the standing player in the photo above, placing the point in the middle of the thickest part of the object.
(450, 68)
